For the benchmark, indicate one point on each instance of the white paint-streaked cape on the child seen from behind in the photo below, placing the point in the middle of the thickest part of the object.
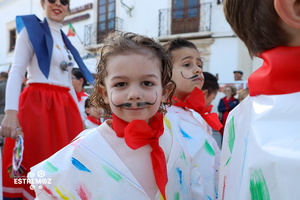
(261, 149)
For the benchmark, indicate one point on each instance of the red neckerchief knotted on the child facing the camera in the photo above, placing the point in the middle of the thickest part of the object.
(138, 133)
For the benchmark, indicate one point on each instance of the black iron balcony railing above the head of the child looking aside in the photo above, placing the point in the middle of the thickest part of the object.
(165, 19)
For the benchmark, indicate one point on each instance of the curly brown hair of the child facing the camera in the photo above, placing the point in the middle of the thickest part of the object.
(121, 43)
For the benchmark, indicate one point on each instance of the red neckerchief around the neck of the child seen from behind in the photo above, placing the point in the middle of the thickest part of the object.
(279, 73)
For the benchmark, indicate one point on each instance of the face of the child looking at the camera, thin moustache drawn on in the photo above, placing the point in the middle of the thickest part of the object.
(131, 92)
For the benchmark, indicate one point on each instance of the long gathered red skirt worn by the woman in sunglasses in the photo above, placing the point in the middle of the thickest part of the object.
(50, 119)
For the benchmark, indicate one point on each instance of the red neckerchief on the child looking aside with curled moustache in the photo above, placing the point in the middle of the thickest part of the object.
(196, 102)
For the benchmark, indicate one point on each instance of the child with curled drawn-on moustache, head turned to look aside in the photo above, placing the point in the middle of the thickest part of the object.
(199, 144)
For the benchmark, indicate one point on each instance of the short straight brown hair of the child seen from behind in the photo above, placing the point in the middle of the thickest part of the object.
(256, 23)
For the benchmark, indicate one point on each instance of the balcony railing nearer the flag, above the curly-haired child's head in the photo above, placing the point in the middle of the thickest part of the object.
(94, 34)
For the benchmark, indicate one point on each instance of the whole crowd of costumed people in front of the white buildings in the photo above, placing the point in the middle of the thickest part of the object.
(148, 134)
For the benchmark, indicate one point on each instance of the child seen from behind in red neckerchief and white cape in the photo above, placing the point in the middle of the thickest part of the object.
(261, 146)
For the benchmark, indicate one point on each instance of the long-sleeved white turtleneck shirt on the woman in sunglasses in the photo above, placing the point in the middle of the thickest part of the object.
(26, 60)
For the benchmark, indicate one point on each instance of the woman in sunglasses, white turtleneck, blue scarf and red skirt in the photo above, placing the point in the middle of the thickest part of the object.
(46, 111)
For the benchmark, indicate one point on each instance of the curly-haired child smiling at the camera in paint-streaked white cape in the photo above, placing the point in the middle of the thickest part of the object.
(130, 156)
